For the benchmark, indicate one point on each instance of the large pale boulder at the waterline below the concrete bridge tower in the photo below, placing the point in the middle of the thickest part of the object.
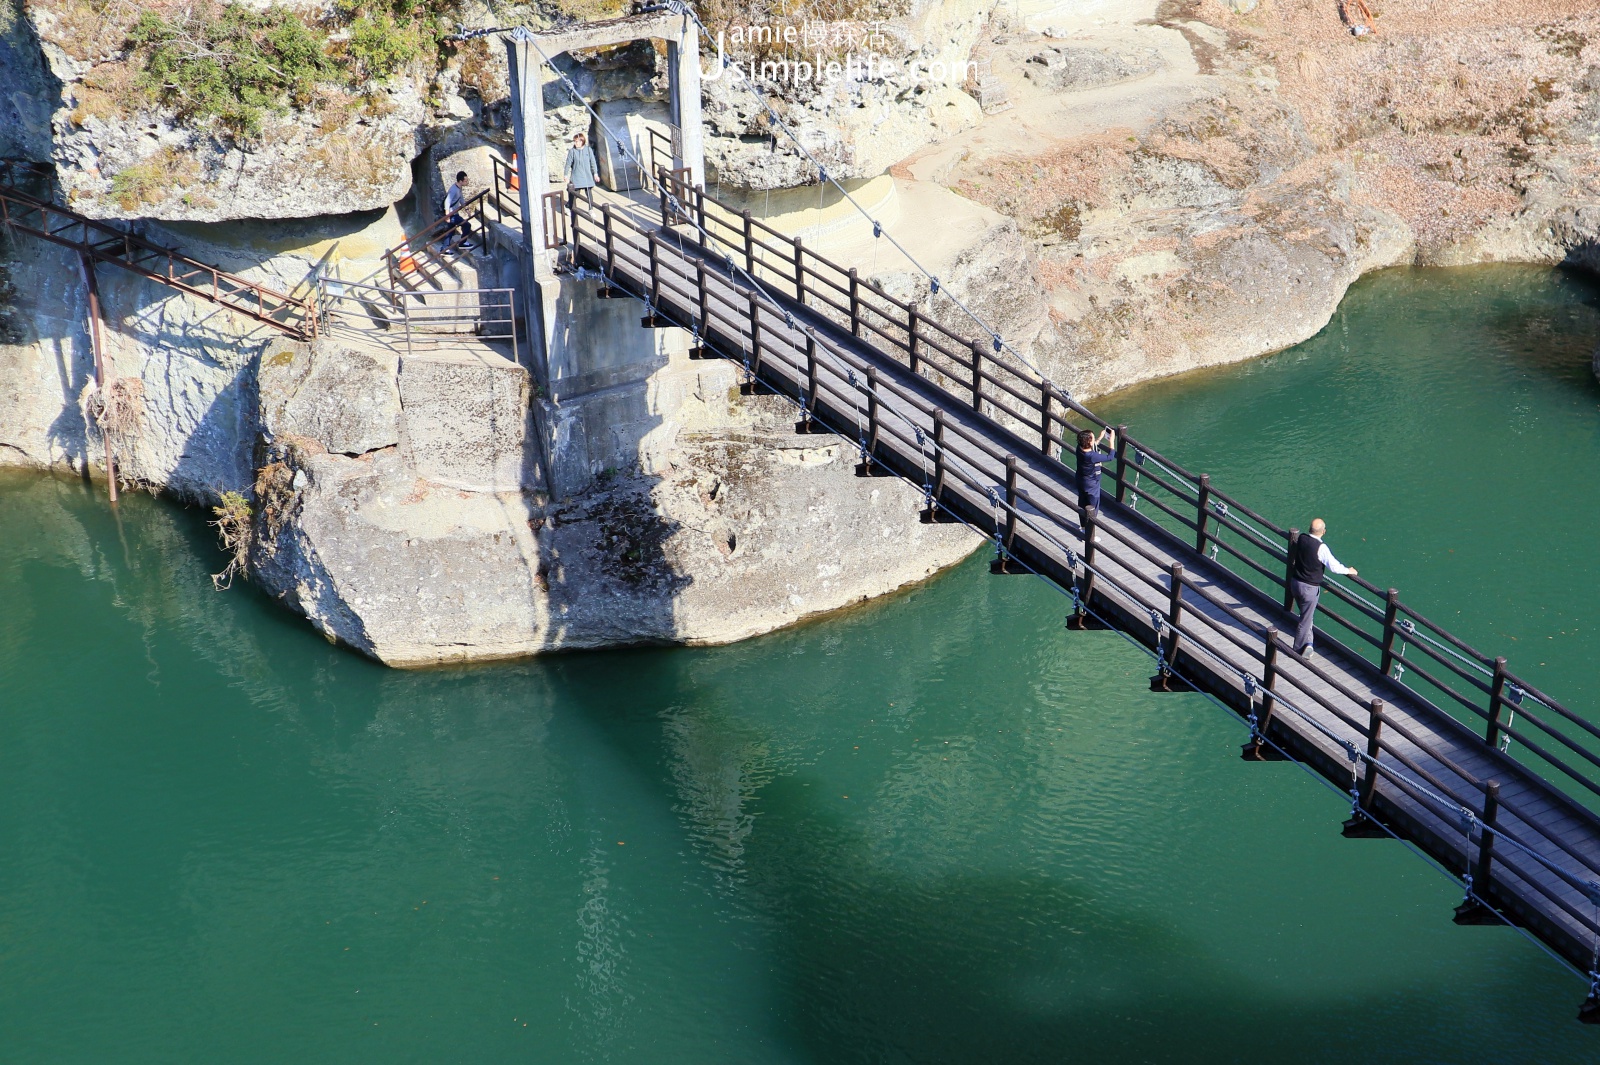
(745, 530)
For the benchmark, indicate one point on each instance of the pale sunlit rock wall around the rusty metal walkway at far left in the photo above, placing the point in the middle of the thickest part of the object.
(183, 370)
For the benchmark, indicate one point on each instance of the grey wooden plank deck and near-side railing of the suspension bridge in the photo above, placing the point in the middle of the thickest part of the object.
(994, 466)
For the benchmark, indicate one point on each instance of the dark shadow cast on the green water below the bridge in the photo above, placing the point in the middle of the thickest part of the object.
(873, 962)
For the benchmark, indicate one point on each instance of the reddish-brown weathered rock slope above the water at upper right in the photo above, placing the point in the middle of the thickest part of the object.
(1241, 199)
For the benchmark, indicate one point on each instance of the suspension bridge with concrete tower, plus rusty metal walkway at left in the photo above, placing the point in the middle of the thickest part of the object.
(1431, 741)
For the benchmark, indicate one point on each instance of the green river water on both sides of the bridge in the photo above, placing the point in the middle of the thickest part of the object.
(937, 829)
